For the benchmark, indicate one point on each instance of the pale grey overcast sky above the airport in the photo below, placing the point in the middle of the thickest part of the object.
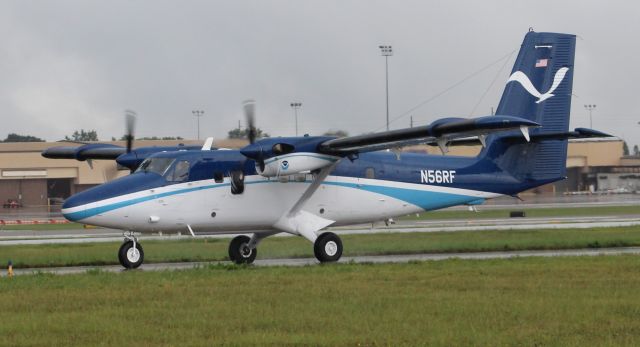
(69, 65)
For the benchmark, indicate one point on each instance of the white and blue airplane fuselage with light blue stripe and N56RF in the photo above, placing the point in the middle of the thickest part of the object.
(375, 187)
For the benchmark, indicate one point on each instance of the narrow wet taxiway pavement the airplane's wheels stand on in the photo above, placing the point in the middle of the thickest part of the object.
(363, 259)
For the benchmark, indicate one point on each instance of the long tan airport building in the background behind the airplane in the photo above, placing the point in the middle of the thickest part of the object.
(28, 179)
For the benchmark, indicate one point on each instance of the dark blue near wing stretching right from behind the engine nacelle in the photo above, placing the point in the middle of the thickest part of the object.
(440, 132)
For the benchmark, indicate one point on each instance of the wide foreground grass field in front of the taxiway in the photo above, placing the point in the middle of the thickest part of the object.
(574, 301)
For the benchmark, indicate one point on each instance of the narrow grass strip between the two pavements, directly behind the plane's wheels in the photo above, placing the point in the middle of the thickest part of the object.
(287, 247)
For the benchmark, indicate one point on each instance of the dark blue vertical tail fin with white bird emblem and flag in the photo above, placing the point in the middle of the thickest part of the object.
(539, 89)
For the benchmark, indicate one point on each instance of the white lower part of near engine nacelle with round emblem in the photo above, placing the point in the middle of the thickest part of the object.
(295, 163)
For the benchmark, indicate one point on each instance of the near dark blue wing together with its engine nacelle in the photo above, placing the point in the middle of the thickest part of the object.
(290, 155)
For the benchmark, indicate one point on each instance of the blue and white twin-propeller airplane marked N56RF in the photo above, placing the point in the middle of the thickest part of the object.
(301, 185)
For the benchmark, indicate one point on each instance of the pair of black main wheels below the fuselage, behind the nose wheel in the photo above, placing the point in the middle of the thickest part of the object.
(243, 250)
